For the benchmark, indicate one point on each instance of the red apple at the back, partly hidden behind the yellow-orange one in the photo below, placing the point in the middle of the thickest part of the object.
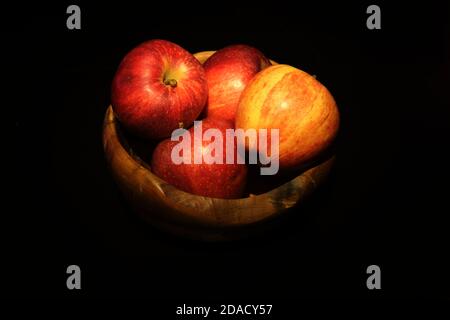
(228, 71)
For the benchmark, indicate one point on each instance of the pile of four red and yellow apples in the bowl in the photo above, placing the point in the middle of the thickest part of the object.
(160, 87)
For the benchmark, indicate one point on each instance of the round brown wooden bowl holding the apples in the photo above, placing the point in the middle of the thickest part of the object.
(193, 216)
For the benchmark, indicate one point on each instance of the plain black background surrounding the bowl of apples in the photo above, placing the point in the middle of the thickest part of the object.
(384, 203)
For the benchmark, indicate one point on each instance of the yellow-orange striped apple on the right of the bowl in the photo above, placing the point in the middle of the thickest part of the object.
(294, 102)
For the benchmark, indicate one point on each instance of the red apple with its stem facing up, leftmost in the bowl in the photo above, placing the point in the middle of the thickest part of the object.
(157, 88)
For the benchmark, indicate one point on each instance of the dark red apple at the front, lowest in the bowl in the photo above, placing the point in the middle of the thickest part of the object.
(206, 179)
